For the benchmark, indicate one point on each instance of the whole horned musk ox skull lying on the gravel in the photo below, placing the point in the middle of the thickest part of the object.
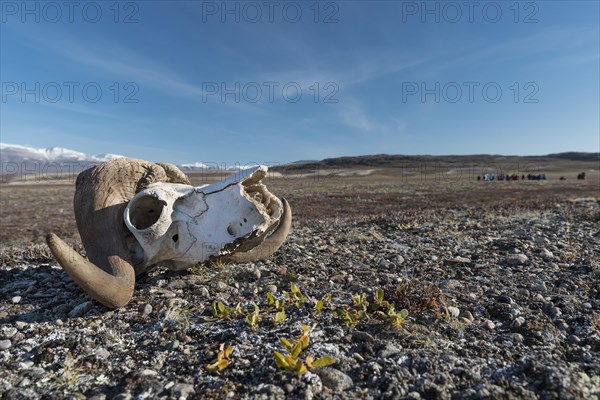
(133, 215)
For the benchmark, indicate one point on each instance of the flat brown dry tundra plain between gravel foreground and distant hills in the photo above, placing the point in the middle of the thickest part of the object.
(29, 211)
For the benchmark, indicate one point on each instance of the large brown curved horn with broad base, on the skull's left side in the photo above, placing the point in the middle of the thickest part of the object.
(101, 196)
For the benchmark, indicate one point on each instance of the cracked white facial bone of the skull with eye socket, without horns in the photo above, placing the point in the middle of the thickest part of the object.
(179, 225)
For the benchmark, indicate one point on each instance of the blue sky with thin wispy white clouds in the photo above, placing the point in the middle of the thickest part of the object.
(274, 82)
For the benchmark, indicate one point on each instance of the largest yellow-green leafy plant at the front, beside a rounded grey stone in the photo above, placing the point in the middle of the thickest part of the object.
(291, 361)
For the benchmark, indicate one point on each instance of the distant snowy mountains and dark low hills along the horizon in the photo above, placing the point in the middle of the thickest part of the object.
(17, 161)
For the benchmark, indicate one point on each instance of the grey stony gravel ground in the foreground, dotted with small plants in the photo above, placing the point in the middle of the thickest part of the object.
(499, 306)
